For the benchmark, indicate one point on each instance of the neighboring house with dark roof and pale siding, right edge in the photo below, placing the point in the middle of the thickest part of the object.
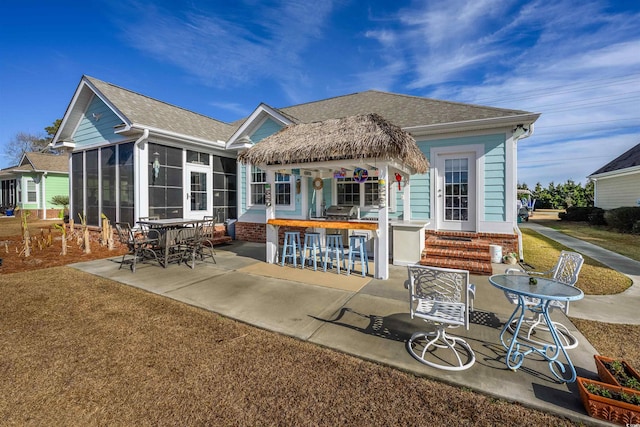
(617, 183)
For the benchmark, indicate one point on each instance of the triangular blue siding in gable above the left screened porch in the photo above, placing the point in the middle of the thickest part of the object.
(93, 131)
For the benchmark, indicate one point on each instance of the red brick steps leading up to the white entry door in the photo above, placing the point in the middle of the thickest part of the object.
(465, 251)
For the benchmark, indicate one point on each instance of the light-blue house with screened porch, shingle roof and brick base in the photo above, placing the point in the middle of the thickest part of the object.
(133, 156)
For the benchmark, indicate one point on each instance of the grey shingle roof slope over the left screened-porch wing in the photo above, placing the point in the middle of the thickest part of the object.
(150, 112)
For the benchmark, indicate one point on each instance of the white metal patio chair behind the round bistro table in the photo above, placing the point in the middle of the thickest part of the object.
(565, 271)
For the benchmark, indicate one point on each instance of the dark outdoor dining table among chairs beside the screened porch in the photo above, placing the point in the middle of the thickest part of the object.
(172, 233)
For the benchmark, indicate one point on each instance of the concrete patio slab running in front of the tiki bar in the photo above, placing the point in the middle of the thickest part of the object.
(372, 323)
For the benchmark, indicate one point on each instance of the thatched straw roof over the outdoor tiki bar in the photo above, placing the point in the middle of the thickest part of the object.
(367, 136)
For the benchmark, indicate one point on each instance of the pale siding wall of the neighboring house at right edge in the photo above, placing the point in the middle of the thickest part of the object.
(617, 191)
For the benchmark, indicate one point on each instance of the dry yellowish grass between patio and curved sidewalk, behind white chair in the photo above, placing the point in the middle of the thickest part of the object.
(595, 278)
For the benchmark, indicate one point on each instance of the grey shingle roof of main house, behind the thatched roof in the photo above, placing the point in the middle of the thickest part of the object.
(401, 110)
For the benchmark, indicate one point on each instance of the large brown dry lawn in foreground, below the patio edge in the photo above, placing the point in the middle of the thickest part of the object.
(82, 350)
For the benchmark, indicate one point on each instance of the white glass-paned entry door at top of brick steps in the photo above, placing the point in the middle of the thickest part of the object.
(456, 192)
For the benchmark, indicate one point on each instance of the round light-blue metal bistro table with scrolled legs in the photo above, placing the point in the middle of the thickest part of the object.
(544, 290)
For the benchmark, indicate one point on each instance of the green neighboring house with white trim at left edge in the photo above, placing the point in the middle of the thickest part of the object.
(33, 182)
